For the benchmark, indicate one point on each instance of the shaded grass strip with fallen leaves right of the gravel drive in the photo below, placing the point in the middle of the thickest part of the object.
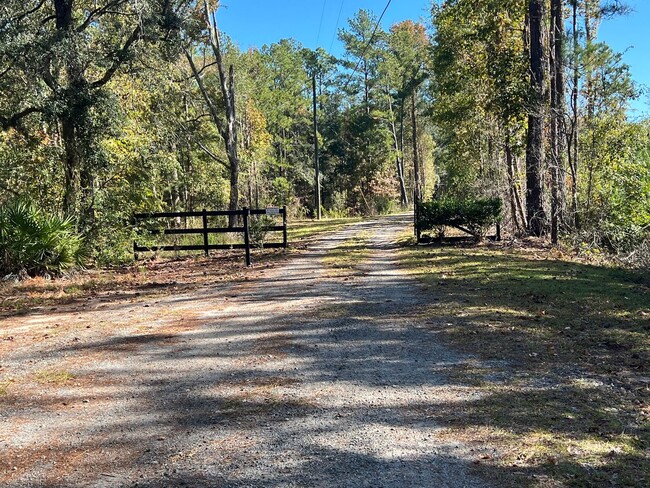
(566, 344)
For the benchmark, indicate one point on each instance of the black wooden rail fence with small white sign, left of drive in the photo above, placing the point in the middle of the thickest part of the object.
(206, 247)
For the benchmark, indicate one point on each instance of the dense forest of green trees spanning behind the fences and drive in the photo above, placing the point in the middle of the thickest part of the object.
(110, 107)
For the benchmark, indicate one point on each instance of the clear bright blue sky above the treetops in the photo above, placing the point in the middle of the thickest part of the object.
(253, 23)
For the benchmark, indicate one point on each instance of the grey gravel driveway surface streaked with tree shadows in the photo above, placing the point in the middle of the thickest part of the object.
(296, 377)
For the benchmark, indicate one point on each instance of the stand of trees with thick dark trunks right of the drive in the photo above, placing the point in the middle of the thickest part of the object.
(528, 105)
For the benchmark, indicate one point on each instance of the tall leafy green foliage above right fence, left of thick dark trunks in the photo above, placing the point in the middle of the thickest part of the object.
(480, 83)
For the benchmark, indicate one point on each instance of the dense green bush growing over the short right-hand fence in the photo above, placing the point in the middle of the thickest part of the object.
(474, 216)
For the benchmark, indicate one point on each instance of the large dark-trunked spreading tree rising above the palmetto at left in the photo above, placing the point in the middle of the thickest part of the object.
(57, 60)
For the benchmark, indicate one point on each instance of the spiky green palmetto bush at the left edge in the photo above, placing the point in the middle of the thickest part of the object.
(36, 243)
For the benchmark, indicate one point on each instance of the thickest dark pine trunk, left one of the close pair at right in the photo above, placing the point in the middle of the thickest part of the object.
(535, 138)
